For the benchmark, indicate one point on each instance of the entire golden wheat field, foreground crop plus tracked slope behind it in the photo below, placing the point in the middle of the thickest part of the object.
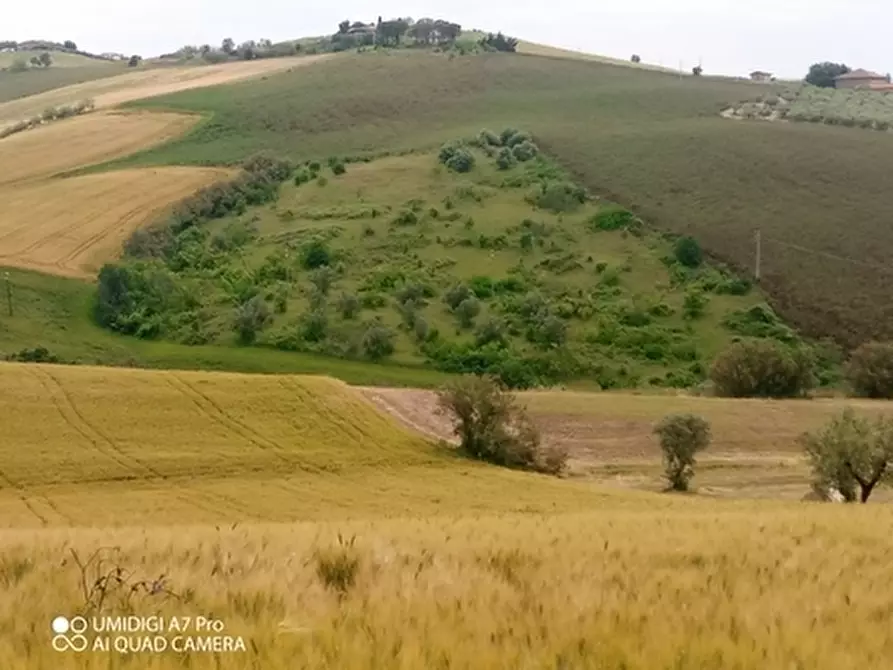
(322, 534)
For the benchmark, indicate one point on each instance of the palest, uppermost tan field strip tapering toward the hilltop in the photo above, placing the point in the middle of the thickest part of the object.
(113, 91)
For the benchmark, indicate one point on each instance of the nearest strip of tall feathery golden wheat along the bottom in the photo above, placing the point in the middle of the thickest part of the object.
(667, 583)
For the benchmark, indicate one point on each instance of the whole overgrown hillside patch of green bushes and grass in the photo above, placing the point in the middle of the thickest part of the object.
(573, 288)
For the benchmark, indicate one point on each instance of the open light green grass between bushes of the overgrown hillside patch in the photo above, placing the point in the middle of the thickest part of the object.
(439, 253)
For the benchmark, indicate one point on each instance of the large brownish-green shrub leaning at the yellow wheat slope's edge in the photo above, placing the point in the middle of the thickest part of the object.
(492, 427)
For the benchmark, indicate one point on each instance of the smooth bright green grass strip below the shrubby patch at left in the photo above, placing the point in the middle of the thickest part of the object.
(55, 313)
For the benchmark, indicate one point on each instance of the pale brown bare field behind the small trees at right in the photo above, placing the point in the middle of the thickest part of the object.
(754, 452)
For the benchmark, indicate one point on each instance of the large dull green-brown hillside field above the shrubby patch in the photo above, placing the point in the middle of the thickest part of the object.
(650, 140)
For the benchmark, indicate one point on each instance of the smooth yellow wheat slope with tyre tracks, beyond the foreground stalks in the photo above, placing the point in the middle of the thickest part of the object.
(197, 447)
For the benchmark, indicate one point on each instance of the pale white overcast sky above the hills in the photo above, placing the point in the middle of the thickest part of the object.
(730, 36)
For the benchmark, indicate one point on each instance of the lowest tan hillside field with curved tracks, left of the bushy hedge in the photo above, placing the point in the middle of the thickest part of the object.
(72, 226)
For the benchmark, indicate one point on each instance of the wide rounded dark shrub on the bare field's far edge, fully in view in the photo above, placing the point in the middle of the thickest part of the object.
(762, 368)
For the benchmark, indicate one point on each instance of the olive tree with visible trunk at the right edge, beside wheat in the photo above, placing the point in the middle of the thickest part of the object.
(850, 452)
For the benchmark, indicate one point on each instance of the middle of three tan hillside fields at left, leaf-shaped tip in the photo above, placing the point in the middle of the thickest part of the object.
(87, 140)
